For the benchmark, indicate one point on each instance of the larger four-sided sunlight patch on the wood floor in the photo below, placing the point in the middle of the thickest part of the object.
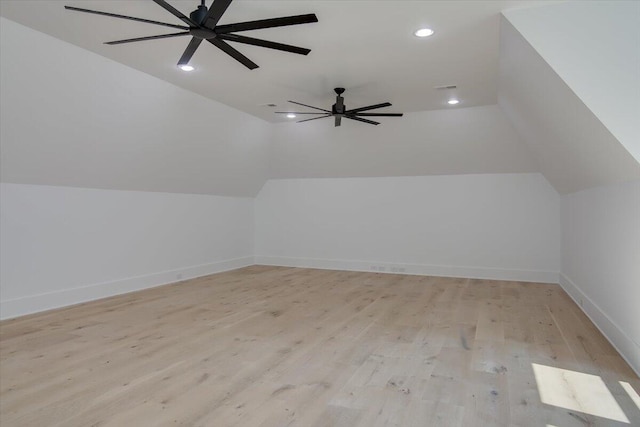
(577, 391)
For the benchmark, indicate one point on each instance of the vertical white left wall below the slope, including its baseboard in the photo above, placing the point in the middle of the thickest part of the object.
(63, 245)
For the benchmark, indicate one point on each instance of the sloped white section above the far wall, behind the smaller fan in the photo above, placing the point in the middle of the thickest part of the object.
(442, 142)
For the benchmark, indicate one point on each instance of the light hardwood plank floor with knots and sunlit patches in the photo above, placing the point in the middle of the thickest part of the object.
(273, 346)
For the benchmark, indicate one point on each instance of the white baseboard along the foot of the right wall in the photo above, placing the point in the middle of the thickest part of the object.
(627, 348)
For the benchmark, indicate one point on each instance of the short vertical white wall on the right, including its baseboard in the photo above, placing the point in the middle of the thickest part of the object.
(601, 260)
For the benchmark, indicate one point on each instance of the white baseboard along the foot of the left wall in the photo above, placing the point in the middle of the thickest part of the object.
(48, 301)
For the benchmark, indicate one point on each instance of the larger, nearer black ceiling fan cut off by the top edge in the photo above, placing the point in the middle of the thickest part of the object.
(202, 24)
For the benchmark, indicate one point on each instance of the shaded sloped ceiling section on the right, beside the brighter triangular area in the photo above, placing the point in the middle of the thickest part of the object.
(573, 148)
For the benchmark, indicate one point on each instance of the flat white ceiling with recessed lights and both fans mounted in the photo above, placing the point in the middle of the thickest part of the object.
(366, 46)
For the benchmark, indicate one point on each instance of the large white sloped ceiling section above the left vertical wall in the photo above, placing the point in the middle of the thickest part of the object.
(70, 117)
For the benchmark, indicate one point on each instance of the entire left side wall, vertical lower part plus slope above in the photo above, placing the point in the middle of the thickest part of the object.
(69, 119)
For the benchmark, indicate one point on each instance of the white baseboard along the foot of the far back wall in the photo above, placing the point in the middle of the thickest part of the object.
(413, 269)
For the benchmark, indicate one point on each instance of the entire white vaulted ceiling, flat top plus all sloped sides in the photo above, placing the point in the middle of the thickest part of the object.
(75, 117)
